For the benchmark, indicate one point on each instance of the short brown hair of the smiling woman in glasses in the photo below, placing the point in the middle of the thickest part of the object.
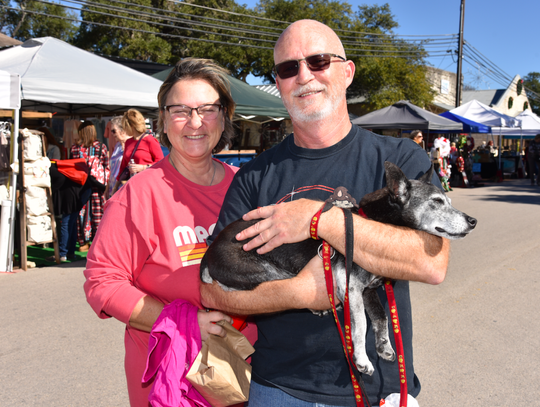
(217, 77)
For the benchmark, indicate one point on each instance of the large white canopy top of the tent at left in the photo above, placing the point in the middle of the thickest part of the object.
(58, 77)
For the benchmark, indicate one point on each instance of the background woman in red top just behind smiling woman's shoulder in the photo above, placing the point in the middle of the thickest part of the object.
(142, 148)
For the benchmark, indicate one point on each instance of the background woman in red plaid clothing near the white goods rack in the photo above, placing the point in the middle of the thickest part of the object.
(86, 146)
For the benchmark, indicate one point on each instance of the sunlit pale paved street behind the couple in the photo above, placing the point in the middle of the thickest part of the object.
(476, 336)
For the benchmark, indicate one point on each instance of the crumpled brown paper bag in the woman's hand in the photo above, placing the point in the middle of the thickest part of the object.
(220, 372)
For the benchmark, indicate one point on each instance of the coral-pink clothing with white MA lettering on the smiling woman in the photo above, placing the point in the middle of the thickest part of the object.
(150, 241)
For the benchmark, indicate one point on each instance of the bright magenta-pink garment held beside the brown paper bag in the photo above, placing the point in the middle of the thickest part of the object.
(174, 343)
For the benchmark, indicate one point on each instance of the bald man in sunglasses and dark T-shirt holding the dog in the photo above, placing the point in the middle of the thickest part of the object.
(299, 358)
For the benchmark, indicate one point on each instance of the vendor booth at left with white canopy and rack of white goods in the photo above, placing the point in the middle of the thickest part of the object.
(64, 82)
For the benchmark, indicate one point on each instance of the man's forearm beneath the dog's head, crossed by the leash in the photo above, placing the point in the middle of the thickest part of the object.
(390, 251)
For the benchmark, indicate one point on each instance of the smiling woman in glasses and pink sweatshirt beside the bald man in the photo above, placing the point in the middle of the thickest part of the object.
(168, 211)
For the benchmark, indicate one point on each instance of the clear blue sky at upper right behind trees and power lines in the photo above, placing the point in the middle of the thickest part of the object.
(505, 32)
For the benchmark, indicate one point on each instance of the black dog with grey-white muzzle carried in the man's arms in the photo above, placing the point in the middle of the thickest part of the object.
(416, 204)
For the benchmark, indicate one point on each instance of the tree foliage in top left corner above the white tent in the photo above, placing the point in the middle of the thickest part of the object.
(32, 19)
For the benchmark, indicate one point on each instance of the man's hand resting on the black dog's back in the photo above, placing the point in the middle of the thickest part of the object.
(287, 222)
